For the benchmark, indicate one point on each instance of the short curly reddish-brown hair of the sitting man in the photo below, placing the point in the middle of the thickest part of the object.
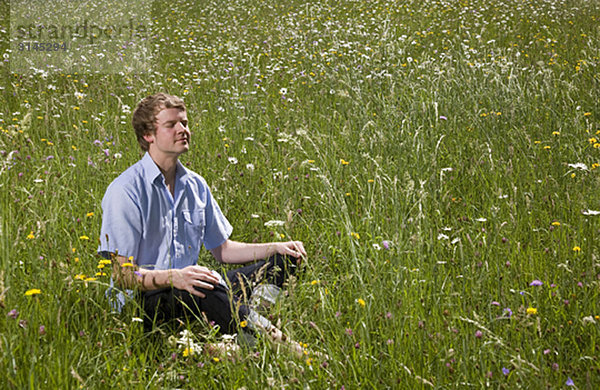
(144, 116)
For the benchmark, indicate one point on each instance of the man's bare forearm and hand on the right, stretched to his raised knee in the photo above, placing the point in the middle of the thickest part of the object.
(234, 252)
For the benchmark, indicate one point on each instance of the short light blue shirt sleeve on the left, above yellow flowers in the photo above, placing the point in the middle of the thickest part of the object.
(121, 224)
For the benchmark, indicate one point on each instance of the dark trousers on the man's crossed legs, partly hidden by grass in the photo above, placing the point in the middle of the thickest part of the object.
(223, 302)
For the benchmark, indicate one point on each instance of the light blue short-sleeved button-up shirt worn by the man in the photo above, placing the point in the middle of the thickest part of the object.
(141, 219)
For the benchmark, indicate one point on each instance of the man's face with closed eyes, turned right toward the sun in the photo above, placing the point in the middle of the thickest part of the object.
(172, 136)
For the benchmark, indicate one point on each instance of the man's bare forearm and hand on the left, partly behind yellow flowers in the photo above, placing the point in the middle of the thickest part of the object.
(127, 275)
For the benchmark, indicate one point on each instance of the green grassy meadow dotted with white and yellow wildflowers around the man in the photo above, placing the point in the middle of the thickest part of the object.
(439, 160)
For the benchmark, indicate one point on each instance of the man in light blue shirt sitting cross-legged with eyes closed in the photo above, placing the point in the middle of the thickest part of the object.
(156, 217)
